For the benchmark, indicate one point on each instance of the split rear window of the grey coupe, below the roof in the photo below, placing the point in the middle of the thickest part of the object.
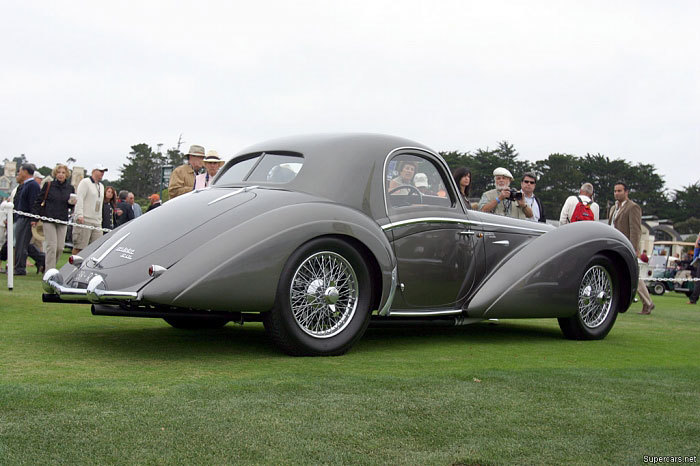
(262, 168)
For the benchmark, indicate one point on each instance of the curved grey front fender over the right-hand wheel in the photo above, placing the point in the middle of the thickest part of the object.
(543, 277)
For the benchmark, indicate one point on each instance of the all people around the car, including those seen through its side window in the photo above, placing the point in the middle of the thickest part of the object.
(96, 208)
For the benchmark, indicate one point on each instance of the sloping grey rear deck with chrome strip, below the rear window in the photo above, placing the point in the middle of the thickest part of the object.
(165, 235)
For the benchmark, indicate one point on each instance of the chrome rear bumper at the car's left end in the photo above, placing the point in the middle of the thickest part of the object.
(96, 291)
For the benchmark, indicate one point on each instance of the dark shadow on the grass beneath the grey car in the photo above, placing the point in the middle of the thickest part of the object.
(166, 343)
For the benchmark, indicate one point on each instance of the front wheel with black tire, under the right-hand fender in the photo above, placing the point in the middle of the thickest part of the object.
(598, 302)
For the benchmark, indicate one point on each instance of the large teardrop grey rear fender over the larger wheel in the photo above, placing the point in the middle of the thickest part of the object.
(239, 269)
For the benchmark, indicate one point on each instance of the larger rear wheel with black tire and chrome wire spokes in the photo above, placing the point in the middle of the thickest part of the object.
(306, 321)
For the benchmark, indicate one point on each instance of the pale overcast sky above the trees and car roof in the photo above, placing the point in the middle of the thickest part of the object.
(90, 79)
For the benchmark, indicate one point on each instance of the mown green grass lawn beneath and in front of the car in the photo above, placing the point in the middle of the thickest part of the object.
(75, 388)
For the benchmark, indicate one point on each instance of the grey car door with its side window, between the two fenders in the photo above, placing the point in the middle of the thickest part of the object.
(432, 239)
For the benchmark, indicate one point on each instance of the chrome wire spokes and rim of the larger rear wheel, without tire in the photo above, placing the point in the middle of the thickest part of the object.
(323, 294)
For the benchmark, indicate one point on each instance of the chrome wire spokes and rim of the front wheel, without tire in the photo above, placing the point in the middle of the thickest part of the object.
(595, 296)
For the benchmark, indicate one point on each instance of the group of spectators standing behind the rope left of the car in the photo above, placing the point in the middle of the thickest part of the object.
(92, 206)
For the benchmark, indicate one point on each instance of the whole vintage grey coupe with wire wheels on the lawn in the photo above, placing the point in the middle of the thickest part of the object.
(316, 236)
